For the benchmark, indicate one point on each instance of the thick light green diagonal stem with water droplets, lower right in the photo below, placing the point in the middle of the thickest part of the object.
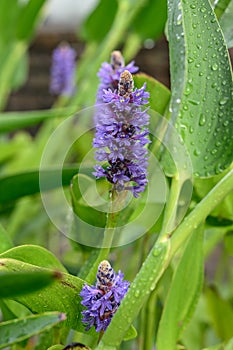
(157, 262)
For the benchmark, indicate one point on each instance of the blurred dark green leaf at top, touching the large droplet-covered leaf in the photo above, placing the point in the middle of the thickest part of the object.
(145, 25)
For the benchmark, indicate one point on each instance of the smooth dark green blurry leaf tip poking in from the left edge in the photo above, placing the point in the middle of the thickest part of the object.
(13, 284)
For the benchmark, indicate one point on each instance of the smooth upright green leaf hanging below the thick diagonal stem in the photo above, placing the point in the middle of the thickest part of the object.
(183, 294)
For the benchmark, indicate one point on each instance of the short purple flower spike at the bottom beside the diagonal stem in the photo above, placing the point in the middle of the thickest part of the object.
(103, 299)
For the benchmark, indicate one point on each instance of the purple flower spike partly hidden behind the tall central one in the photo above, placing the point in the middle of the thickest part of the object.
(109, 74)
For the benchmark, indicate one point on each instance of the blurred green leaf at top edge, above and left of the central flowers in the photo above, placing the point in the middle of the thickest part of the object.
(98, 24)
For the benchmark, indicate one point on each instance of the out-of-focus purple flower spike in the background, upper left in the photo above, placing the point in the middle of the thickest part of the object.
(63, 70)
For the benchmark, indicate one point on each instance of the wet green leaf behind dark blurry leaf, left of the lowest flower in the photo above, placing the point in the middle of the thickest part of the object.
(62, 295)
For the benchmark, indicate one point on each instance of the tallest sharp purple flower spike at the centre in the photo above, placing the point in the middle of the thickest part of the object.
(121, 136)
